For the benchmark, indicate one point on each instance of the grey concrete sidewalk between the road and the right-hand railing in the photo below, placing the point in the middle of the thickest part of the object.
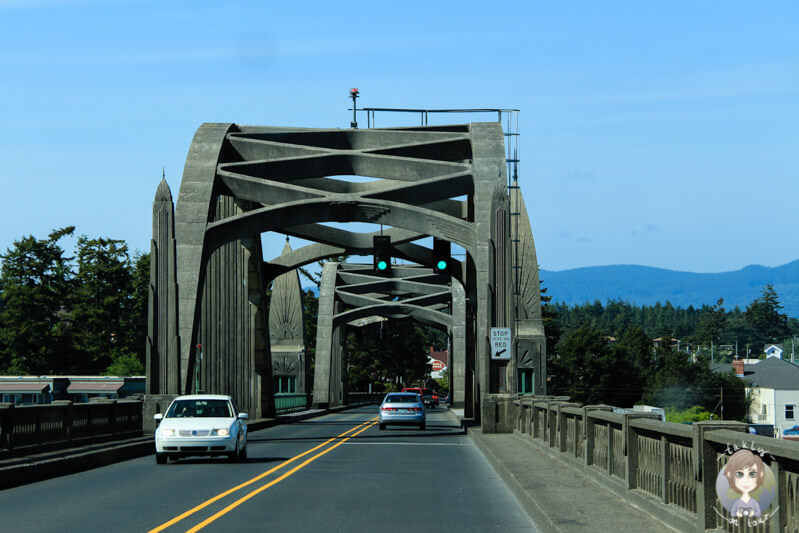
(558, 497)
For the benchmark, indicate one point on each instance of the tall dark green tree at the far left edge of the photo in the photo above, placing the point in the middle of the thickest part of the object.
(36, 283)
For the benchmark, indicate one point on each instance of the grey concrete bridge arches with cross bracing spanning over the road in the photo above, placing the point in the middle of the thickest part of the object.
(211, 325)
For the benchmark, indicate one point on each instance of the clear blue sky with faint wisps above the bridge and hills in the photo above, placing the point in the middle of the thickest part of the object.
(653, 133)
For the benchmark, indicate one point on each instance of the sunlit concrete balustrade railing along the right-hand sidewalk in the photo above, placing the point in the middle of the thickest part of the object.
(669, 470)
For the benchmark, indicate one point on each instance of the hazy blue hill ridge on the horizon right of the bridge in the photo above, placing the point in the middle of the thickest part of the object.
(641, 285)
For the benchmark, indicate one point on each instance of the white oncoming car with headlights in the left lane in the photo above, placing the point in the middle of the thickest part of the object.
(201, 424)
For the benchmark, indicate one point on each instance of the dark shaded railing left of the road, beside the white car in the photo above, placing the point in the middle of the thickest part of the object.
(34, 428)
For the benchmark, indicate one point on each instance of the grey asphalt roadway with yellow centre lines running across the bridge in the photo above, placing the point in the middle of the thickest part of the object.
(401, 479)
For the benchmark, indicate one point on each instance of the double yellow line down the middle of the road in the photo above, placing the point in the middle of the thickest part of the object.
(341, 439)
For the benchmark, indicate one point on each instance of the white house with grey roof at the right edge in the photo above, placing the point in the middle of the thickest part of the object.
(773, 387)
